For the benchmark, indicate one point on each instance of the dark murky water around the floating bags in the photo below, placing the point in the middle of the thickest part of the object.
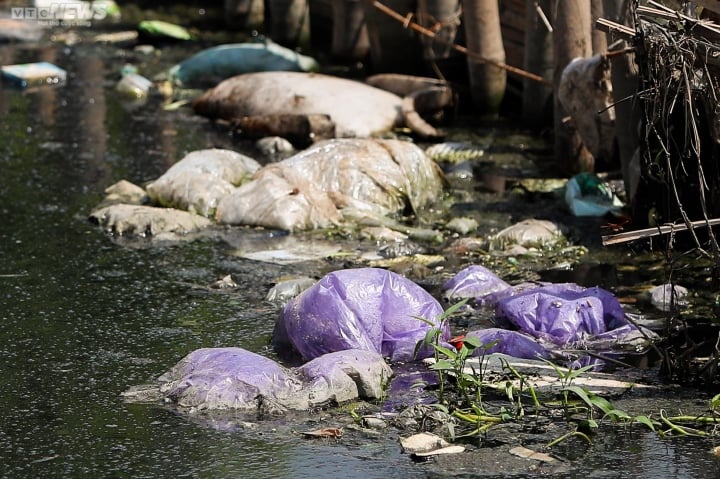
(82, 318)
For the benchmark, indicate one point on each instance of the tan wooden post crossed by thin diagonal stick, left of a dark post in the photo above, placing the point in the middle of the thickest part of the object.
(484, 37)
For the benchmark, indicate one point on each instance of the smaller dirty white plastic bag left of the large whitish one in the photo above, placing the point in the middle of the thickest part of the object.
(201, 179)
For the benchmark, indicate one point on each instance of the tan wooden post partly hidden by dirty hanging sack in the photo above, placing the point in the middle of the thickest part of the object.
(571, 39)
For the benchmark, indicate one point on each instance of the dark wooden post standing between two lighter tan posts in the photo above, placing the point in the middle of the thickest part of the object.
(538, 58)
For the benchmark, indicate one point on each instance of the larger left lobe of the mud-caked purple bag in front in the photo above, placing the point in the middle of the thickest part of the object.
(226, 378)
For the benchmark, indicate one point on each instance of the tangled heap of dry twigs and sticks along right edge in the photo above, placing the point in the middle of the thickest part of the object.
(678, 59)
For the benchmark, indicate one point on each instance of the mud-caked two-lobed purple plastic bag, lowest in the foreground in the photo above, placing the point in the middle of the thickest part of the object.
(215, 379)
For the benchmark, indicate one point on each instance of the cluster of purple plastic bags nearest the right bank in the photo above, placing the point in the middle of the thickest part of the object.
(537, 320)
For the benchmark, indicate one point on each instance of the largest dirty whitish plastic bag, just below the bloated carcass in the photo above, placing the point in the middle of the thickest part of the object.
(309, 189)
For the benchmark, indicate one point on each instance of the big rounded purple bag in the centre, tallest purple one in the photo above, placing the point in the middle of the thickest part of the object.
(363, 308)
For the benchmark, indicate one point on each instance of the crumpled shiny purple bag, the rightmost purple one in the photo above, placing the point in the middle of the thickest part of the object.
(563, 313)
